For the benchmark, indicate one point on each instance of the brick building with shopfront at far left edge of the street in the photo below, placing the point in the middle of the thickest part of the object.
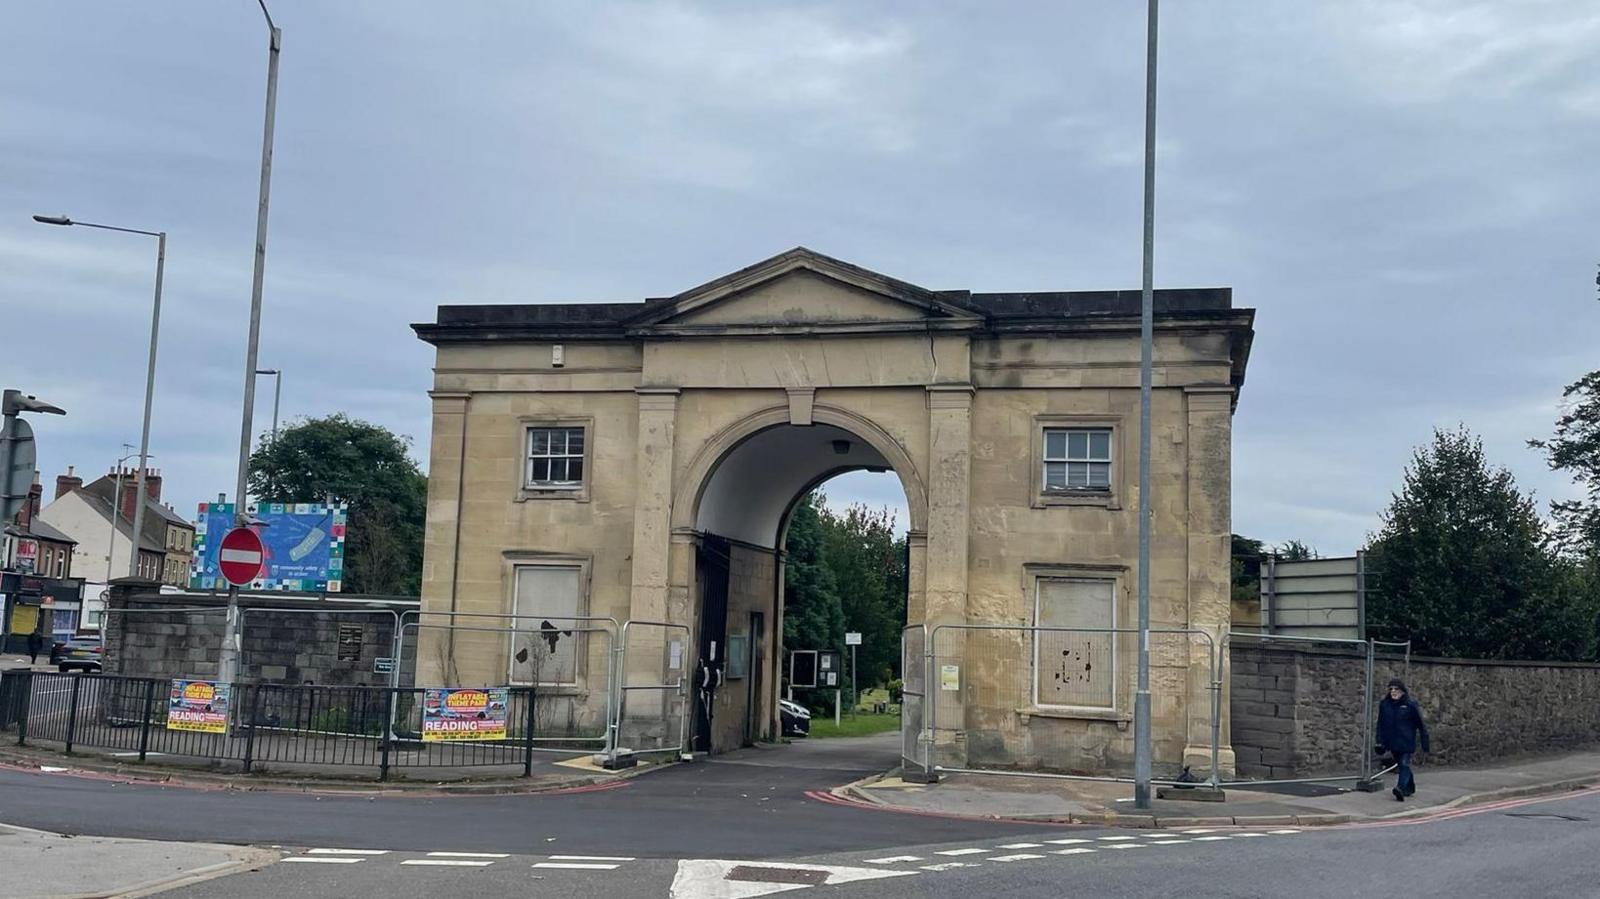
(38, 589)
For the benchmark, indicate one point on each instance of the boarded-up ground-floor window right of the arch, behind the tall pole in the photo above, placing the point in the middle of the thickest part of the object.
(1076, 669)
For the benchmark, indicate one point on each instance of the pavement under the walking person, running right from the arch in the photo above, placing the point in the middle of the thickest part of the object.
(1087, 802)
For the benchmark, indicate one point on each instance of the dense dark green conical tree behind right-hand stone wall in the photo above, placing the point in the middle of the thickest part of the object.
(1463, 564)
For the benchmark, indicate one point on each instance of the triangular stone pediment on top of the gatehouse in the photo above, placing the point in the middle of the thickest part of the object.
(801, 290)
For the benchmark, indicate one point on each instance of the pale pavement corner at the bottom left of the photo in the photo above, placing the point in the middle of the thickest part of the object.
(58, 866)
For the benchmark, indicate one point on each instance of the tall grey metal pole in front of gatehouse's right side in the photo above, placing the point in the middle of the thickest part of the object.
(1142, 701)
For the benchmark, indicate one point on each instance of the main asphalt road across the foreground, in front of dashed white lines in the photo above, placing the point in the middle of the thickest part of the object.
(1535, 850)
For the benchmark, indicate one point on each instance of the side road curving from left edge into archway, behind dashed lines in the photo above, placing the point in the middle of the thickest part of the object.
(751, 805)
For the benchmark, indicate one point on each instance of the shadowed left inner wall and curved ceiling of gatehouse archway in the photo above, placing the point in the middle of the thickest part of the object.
(742, 519)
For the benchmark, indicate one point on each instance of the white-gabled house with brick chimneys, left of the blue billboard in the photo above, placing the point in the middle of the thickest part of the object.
(100, 517)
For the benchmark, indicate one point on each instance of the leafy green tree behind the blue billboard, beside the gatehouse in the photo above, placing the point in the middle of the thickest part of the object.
(369, 468)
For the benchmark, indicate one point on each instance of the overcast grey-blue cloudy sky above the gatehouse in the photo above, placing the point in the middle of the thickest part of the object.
(1409, 193)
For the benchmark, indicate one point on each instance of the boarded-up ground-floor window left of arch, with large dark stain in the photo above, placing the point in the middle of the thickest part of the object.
(546, 645)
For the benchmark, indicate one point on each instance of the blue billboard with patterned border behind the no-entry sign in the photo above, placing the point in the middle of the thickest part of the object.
(305, 545)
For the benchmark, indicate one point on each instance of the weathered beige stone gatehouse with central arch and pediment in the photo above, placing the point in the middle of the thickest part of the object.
(641, 460)
